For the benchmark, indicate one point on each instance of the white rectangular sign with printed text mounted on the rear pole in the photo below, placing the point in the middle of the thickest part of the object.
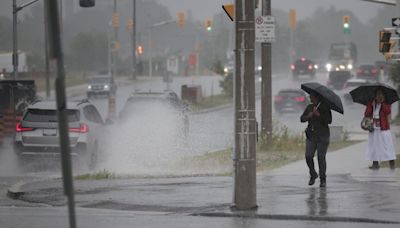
(265, 29)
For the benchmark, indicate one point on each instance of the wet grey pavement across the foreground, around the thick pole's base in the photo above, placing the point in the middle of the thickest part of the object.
(354, 197)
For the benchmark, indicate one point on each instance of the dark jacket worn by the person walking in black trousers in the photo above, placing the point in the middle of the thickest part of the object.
(318, 124)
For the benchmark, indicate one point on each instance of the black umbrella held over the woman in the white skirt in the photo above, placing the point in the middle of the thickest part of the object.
(366, 93)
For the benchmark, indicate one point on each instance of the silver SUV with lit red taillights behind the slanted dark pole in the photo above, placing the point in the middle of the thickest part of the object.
(37, 133)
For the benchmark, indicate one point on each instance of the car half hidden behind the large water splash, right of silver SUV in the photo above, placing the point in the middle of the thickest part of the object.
(138, 101)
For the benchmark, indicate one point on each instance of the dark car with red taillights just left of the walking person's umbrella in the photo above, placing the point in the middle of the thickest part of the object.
(290, 100)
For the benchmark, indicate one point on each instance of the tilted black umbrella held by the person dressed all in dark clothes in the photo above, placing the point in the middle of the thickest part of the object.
(329, 97)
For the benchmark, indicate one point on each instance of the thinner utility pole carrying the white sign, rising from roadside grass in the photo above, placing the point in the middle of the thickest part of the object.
(266, 83)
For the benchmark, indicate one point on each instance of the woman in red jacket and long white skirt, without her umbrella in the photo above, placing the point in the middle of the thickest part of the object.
(380, 142)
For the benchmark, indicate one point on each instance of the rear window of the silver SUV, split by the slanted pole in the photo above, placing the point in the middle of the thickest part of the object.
(47, 116)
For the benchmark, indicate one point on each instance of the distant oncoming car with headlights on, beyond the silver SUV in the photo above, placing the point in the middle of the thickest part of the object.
(101, 86)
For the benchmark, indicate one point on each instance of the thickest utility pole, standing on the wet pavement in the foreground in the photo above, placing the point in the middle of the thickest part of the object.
(244, 152)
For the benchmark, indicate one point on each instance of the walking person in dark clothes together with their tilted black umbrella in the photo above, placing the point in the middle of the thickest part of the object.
(318, 115)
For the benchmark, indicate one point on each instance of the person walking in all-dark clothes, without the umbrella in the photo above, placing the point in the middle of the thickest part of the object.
(318, 116)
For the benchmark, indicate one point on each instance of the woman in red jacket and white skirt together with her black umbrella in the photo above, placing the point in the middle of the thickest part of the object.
(378, 99)
